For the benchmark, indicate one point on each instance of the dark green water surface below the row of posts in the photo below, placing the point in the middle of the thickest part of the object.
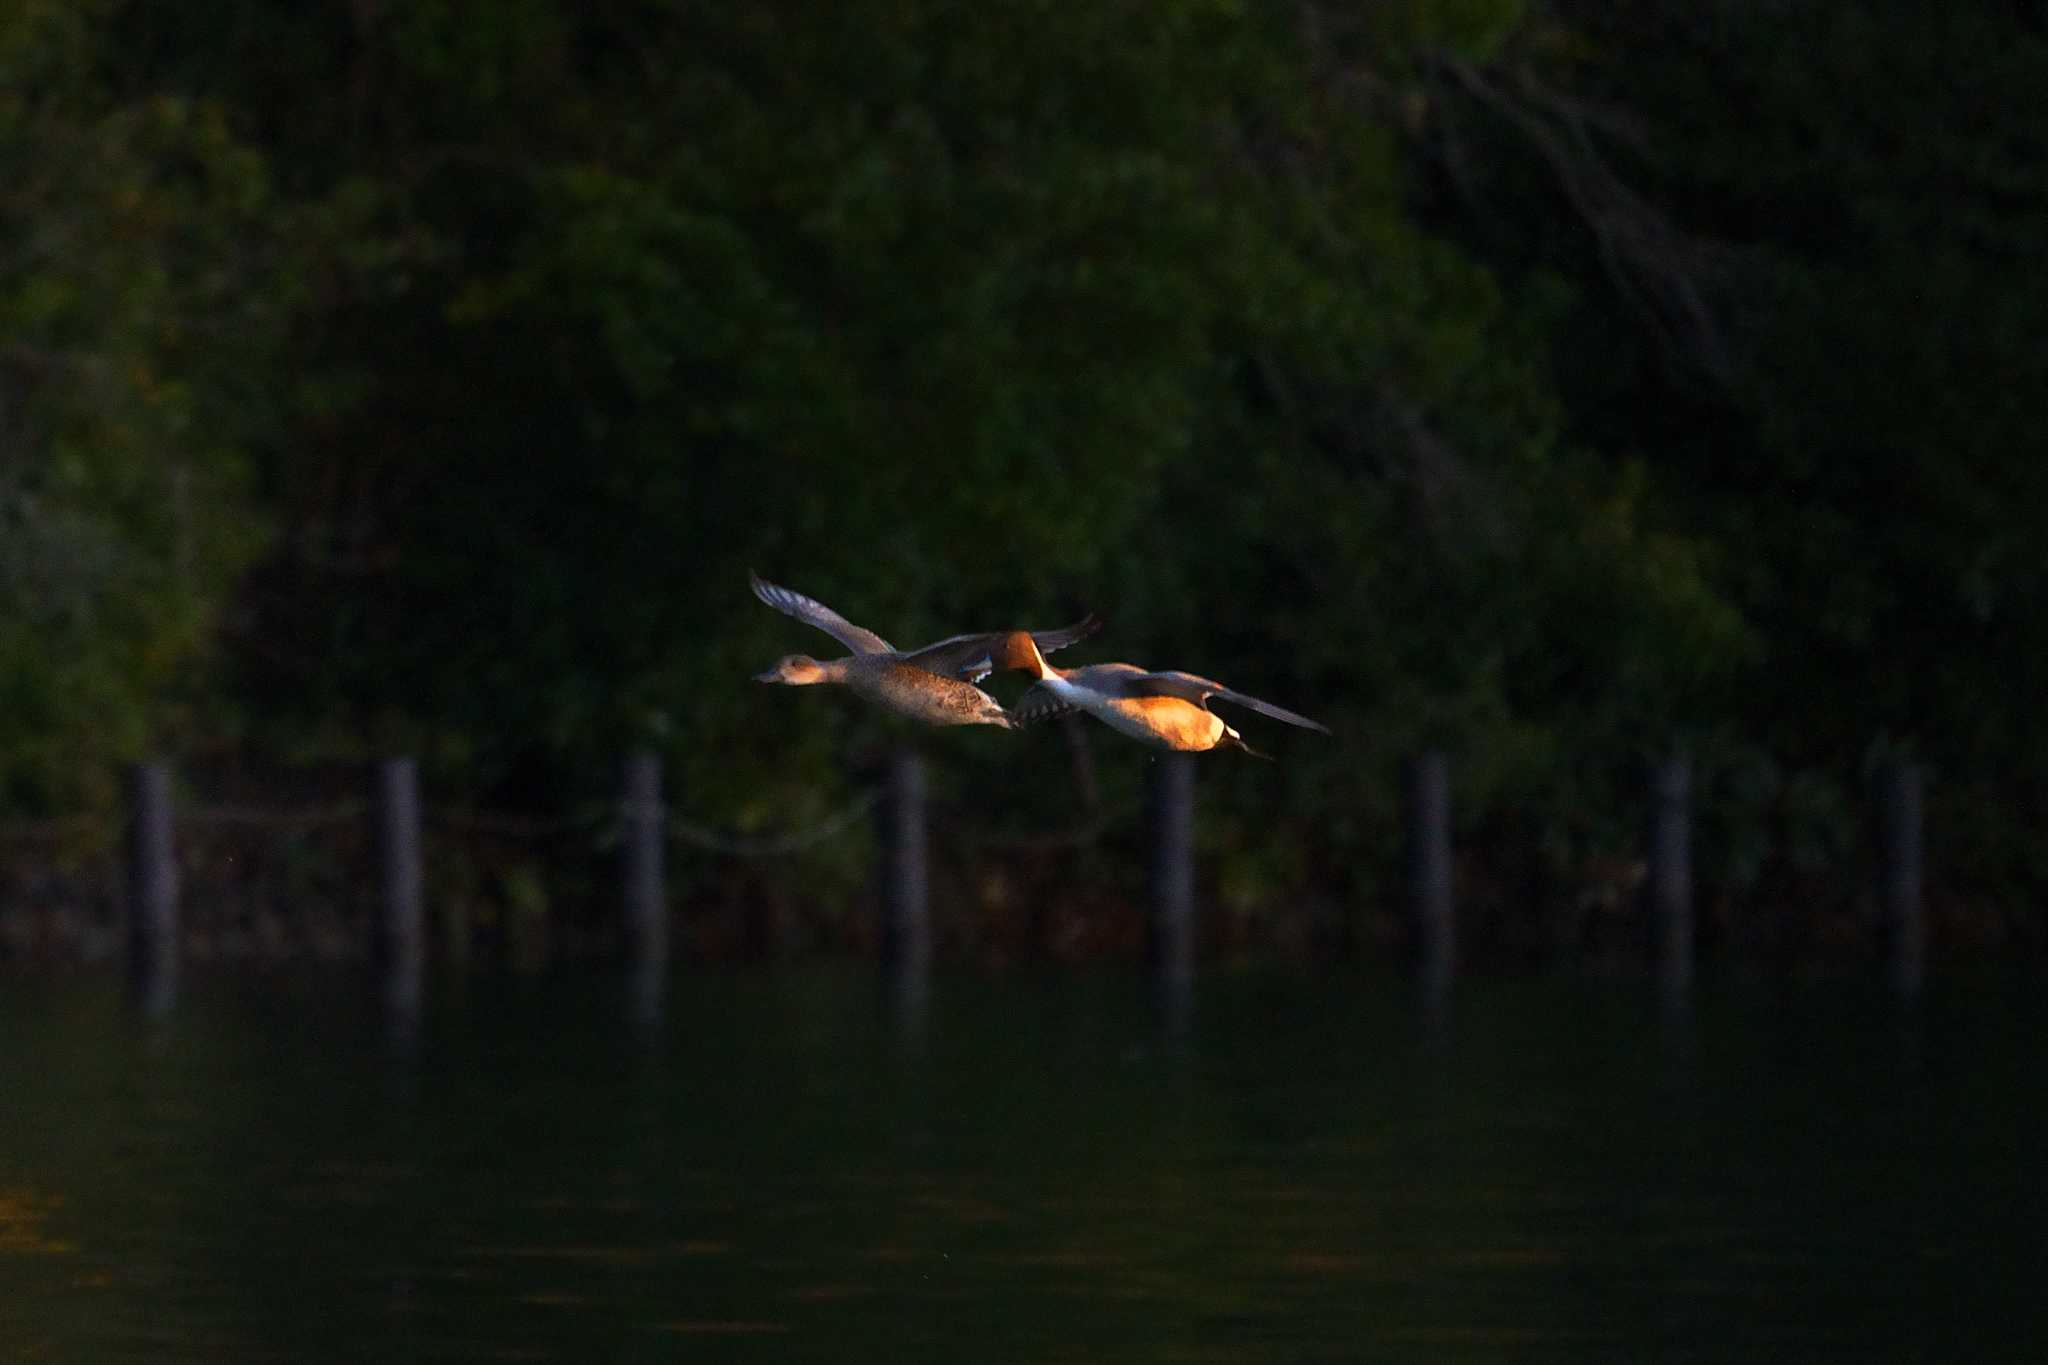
(787, 1172)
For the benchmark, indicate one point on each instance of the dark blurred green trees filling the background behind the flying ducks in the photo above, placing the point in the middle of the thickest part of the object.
(1555, 382)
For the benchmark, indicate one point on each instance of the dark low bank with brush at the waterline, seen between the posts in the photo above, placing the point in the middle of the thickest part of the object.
(263, 883)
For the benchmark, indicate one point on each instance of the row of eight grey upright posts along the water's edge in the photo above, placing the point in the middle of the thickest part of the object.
(906, 932)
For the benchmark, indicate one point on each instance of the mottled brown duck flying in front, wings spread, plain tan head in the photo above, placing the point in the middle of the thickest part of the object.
(933, 685)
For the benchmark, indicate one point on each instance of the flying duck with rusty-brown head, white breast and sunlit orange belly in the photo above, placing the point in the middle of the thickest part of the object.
(1168, 711)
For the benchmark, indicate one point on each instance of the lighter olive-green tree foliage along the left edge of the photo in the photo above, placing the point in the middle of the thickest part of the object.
(134, 308)
